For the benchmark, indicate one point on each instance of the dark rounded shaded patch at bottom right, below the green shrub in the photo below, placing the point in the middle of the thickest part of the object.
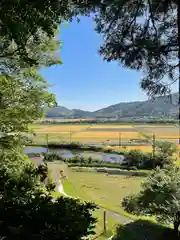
(144, 230)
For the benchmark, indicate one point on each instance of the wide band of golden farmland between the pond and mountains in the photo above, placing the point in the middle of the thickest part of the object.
(107, 134)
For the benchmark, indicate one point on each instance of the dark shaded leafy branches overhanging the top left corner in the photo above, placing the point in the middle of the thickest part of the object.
(22, 20)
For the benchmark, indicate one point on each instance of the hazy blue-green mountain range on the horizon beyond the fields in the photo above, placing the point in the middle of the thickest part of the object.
(159, 107)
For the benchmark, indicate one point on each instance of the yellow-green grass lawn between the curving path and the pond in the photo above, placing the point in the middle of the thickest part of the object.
(106, 191)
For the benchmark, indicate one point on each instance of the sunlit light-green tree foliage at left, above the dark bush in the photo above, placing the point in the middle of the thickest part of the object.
(24, 92)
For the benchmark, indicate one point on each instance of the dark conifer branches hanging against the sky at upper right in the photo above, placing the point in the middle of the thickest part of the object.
(142, 35)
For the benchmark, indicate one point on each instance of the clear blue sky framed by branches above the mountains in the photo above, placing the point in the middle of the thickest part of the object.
(84, 80)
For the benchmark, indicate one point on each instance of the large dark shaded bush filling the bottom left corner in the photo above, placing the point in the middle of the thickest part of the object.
(28, 210)
